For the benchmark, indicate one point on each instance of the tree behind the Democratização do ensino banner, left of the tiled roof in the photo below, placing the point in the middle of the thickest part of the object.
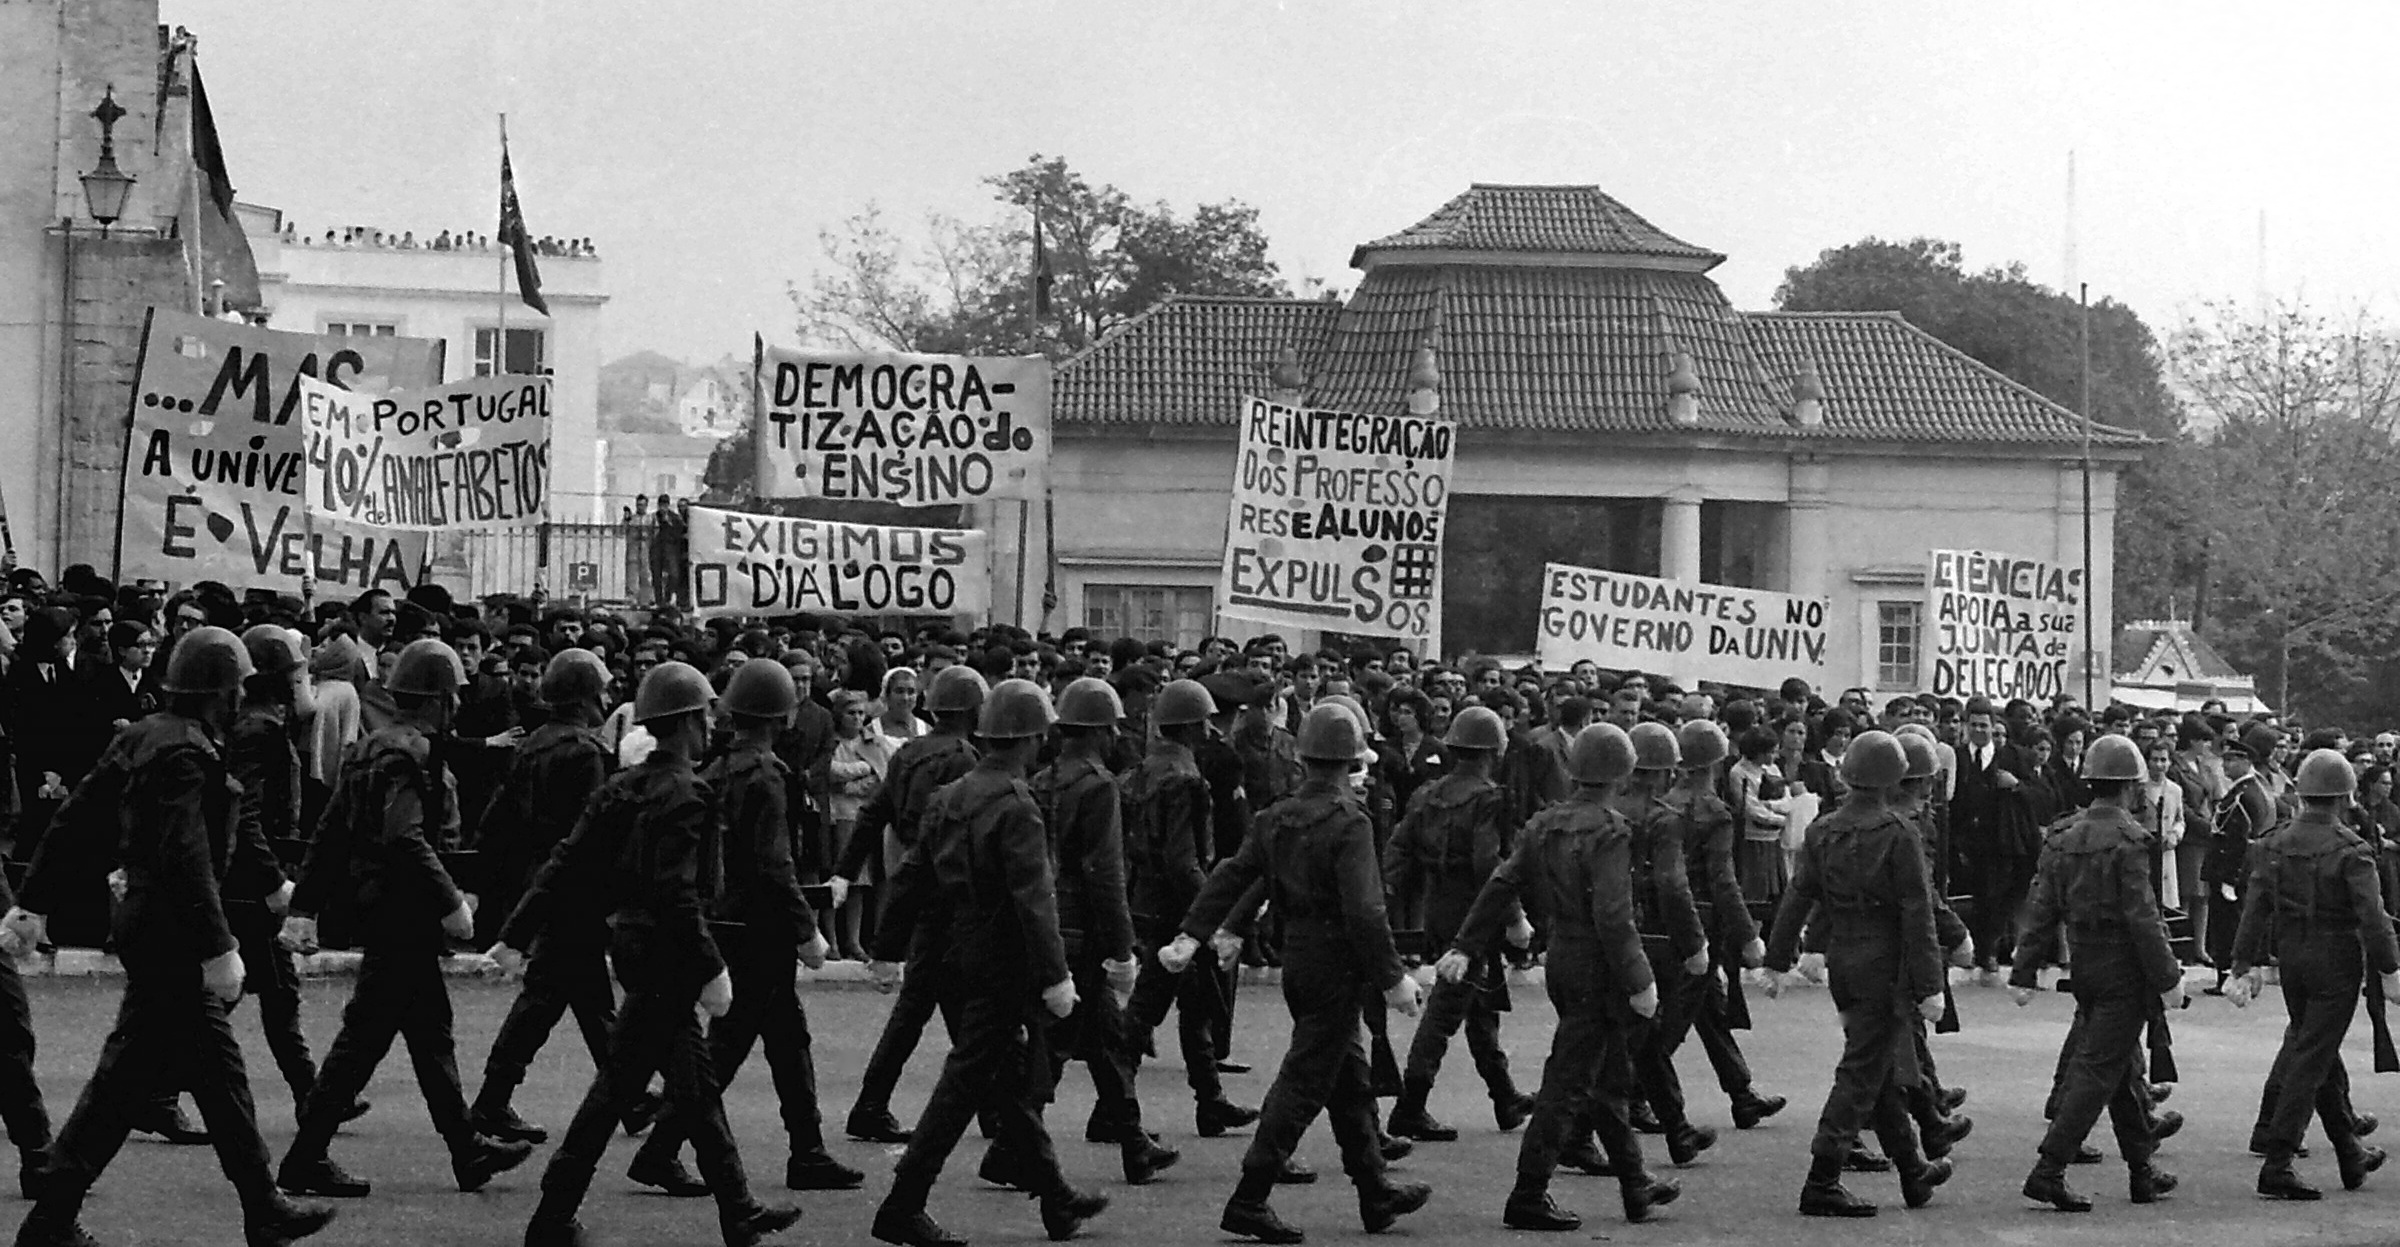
(971, 287)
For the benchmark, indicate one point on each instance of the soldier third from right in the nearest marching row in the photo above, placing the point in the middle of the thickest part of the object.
(1864, 876)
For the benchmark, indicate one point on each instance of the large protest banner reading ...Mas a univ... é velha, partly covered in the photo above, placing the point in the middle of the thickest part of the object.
(217, 447)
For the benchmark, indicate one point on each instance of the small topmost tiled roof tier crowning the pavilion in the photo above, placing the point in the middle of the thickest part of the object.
(1537, 219)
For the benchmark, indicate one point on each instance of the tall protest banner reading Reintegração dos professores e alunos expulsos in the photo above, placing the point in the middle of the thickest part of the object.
(1338, 522)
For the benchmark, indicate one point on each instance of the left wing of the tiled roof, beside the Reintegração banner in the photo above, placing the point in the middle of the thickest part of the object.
(1187, 361)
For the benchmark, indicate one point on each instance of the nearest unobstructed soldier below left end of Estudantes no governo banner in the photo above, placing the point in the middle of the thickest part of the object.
(1573, 874)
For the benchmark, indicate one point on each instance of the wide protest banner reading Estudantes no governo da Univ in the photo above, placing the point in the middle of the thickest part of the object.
(1724, 634)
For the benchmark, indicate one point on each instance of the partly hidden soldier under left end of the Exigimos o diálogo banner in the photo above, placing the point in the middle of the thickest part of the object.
(767, 929)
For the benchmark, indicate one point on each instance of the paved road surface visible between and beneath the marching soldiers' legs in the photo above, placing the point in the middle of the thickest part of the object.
(1739, 1193)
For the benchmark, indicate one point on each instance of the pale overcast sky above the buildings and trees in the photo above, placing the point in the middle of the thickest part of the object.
(704, 145)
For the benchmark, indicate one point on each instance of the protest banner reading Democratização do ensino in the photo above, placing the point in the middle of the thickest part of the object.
(913, 430)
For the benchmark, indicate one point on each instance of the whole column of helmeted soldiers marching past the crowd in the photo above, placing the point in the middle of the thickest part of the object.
(1055, 912)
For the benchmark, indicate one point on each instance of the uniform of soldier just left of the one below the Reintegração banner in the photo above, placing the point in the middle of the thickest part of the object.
(1168, 850)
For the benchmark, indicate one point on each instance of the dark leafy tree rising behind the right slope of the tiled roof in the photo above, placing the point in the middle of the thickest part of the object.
(2034, 337)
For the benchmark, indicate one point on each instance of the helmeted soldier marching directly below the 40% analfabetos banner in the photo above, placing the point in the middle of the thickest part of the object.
(388, 814)
